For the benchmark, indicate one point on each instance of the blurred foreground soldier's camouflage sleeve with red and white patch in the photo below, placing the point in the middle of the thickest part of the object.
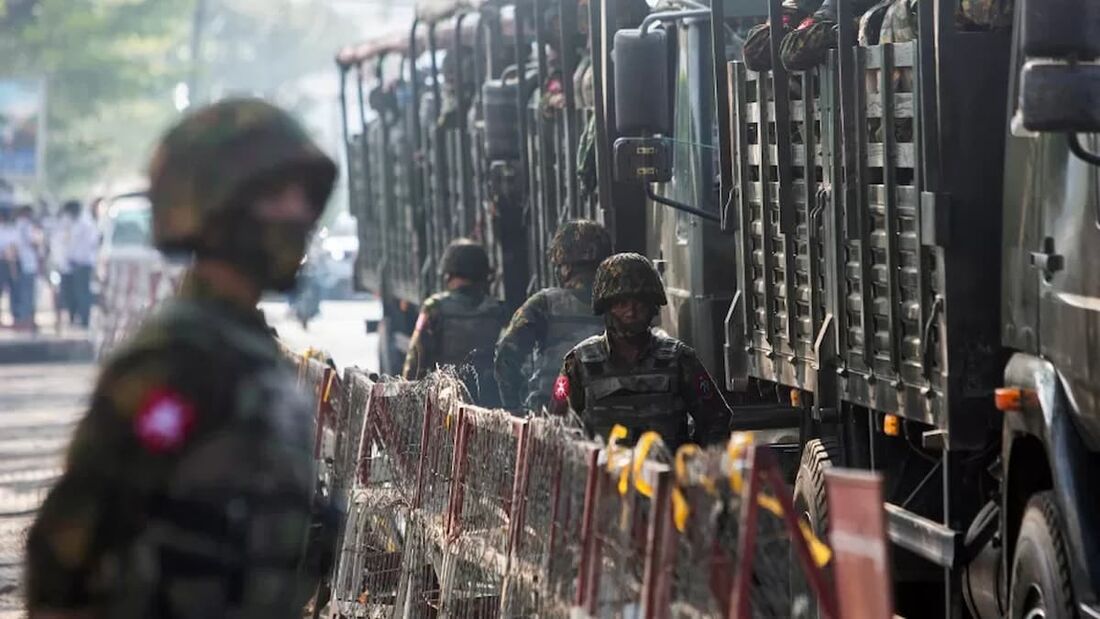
(142, 413)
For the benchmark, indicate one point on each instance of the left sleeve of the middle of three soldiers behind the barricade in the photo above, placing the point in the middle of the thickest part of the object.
(529, 327)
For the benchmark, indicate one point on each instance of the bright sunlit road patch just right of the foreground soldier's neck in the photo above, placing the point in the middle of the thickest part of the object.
(340, 329)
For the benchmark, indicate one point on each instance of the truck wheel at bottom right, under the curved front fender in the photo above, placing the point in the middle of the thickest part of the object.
(1041, 582)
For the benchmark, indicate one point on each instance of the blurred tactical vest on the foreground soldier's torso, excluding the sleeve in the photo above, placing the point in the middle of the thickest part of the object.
(227, 533)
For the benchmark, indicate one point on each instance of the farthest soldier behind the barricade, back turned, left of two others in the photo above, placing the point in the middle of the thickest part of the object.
(460, 326)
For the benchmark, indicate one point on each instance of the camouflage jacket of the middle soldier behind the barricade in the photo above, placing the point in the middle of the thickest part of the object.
(549, 324)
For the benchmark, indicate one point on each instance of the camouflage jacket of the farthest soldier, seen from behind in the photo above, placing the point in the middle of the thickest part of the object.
(452, 326)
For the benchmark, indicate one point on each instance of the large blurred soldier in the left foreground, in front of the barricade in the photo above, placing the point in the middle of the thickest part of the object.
(190, 488)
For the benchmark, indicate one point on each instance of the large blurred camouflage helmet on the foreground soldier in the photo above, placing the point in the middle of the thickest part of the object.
(206, 165)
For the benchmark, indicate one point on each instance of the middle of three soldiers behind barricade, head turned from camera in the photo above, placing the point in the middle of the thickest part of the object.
(554, 320)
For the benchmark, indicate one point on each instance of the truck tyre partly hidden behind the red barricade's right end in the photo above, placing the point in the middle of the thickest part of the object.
(812, 509)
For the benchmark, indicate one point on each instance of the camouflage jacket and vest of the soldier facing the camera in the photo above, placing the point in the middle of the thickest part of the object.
(665, 391)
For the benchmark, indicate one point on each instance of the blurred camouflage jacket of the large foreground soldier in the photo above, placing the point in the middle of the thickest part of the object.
(189, 490)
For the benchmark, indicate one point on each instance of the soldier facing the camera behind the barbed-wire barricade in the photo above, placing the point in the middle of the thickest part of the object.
(633, 377)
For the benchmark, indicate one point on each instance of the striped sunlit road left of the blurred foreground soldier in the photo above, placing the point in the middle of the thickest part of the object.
(39, 407)
